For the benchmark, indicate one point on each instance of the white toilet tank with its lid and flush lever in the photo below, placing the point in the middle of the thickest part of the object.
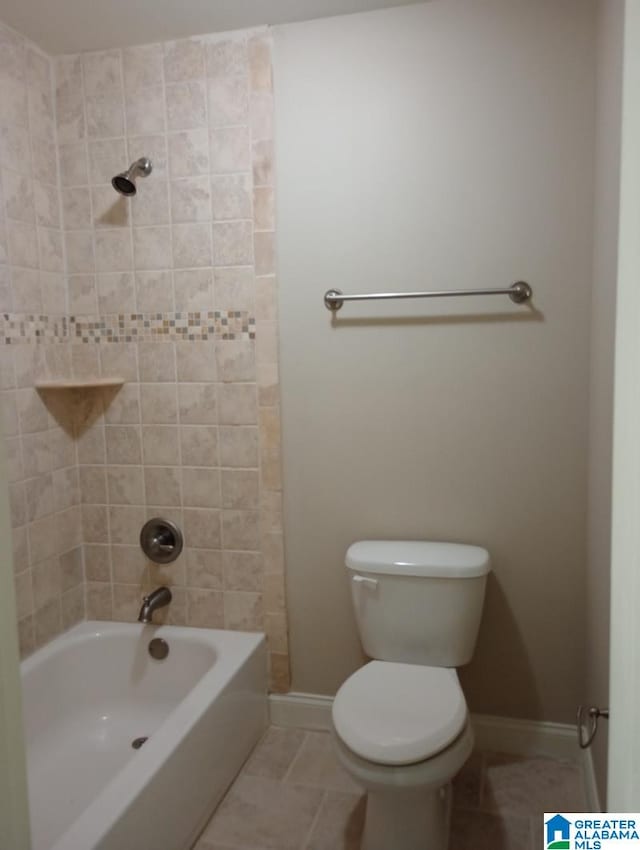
(417, 601)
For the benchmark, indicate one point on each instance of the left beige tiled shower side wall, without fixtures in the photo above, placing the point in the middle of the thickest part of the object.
(43, 476)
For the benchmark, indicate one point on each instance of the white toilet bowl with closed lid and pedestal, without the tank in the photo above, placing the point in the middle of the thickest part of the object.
(402, 733)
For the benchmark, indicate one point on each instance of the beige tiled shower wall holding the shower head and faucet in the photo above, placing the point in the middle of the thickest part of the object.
(174, 291)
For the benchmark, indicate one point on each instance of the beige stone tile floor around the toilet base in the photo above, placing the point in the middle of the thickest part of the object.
(293, 795)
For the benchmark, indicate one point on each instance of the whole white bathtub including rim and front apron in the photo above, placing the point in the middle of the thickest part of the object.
(94, 690)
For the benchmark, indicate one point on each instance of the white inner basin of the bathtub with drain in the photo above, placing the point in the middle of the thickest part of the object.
(83, 709)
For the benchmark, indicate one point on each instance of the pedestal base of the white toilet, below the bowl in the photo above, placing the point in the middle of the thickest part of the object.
(408, 820)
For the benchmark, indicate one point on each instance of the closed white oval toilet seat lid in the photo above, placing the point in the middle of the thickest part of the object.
(395, 714)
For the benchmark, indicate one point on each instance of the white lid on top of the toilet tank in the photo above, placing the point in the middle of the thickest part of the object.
(418, 558)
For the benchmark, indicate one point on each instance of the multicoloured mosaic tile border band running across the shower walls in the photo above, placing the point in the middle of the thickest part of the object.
(128, 327)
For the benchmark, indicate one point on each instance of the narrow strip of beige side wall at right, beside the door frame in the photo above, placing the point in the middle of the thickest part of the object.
(609, 90)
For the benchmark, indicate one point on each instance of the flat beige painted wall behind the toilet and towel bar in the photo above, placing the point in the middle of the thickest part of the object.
(441, 145)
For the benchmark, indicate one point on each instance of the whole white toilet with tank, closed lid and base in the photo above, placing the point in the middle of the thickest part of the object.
(401, 722)
